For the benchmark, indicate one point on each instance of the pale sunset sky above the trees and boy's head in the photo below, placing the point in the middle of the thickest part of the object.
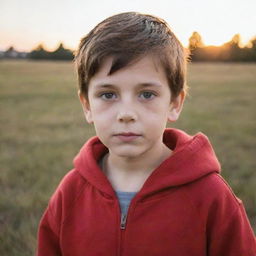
(25, 24)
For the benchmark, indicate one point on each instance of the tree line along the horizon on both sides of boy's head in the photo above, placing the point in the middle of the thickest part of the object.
(228, 52)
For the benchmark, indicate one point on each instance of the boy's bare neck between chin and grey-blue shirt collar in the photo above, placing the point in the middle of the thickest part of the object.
(129, 174)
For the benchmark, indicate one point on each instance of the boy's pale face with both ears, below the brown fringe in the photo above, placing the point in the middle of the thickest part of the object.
(130, 108)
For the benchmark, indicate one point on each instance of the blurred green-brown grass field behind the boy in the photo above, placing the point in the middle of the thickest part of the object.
(42, 129)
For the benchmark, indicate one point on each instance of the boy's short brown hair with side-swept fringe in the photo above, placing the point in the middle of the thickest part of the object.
(127, 37)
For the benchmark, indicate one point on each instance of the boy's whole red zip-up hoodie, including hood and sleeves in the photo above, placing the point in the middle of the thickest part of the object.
(184, 208)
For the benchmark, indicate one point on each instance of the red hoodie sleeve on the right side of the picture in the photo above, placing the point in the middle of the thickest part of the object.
(228, 229)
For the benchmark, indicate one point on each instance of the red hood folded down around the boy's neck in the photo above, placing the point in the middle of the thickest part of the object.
(192, 158)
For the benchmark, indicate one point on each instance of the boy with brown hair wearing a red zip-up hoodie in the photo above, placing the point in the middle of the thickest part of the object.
(137, 188)
